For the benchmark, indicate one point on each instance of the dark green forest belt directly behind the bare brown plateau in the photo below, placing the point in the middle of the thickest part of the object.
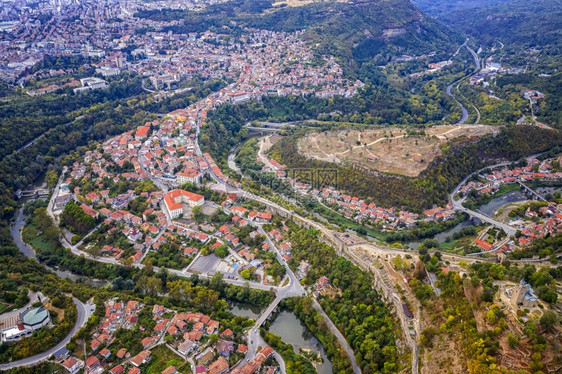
(374, 105)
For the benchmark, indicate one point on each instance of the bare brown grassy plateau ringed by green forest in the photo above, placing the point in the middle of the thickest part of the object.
(389, 150)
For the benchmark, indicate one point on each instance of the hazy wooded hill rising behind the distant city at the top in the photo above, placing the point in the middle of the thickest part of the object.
(359, 32)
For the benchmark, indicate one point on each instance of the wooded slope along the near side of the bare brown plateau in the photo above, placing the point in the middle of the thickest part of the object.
(442, 175)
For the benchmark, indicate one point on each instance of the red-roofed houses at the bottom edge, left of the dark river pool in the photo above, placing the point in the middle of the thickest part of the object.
(187, 331)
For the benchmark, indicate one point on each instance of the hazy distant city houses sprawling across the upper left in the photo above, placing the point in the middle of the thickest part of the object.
(277, 63)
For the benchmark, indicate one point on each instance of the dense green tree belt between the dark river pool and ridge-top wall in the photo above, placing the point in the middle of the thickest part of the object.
(357, 309)
